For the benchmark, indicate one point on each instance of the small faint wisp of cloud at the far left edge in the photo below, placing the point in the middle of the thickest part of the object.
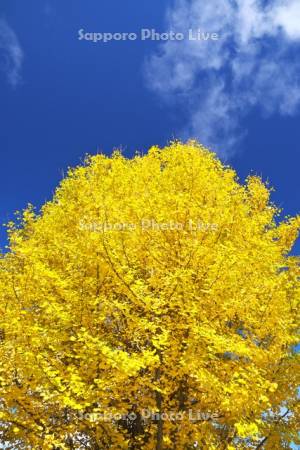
(11, 54)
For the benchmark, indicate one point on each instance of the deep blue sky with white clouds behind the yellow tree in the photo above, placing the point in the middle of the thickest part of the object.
(62, 97)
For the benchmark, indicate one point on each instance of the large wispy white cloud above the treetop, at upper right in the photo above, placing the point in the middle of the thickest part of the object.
(253, 64)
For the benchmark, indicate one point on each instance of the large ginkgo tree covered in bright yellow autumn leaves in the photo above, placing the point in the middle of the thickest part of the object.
(152, 304)
